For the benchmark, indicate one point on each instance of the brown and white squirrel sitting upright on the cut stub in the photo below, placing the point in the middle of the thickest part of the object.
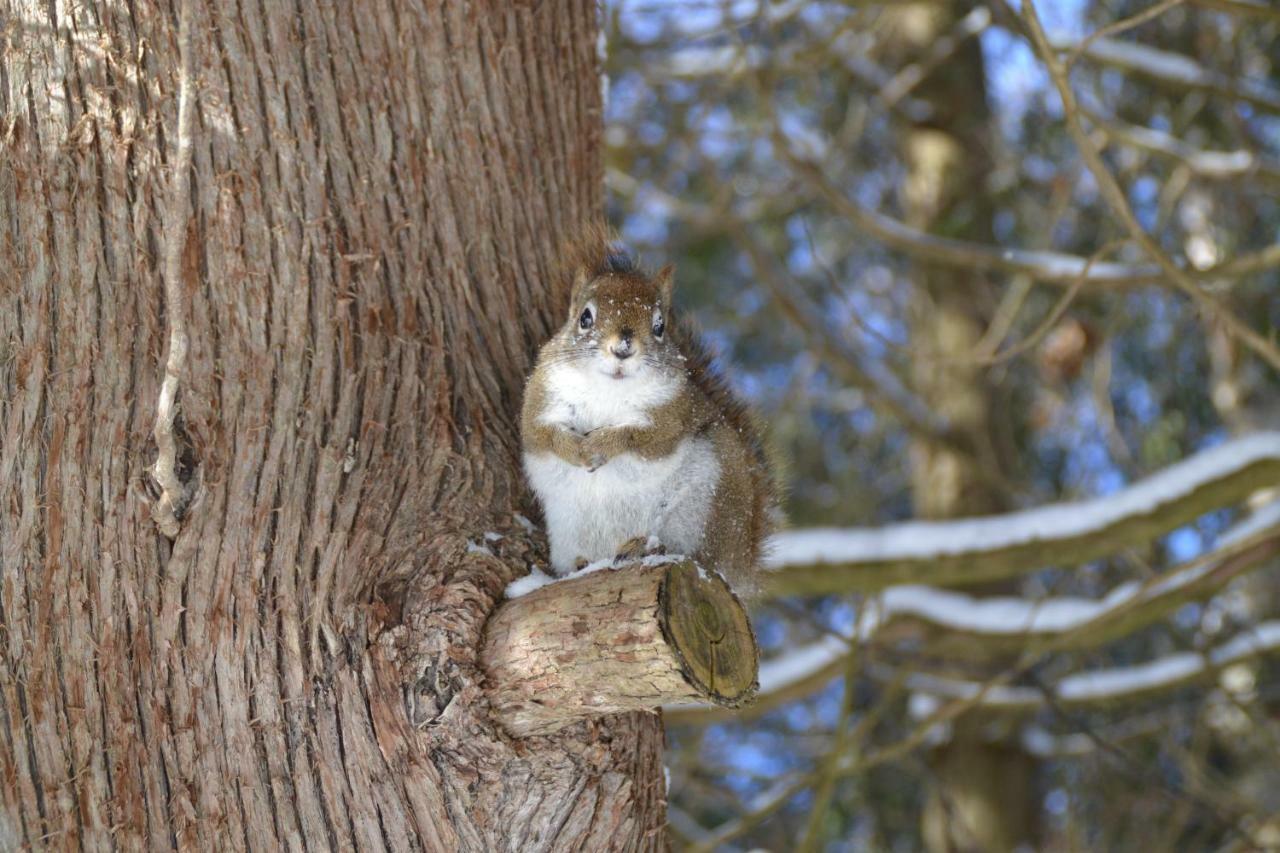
(633, 444)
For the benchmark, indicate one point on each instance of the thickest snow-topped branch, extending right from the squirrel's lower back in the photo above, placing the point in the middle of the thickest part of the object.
(821, 562)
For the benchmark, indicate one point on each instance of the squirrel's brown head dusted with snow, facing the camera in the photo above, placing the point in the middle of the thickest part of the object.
(619, 316)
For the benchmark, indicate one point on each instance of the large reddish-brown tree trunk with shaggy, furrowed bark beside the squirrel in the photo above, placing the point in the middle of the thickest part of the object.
(376, 195)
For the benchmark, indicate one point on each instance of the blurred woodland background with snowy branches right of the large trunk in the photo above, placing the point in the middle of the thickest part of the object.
(971, 259)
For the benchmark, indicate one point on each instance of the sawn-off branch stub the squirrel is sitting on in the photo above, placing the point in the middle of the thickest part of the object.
(627, 640)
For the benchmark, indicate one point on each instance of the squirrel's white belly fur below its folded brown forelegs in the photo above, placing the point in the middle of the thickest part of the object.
(589, 514)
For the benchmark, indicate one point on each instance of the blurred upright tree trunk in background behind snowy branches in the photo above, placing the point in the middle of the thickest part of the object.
(984, 796)
